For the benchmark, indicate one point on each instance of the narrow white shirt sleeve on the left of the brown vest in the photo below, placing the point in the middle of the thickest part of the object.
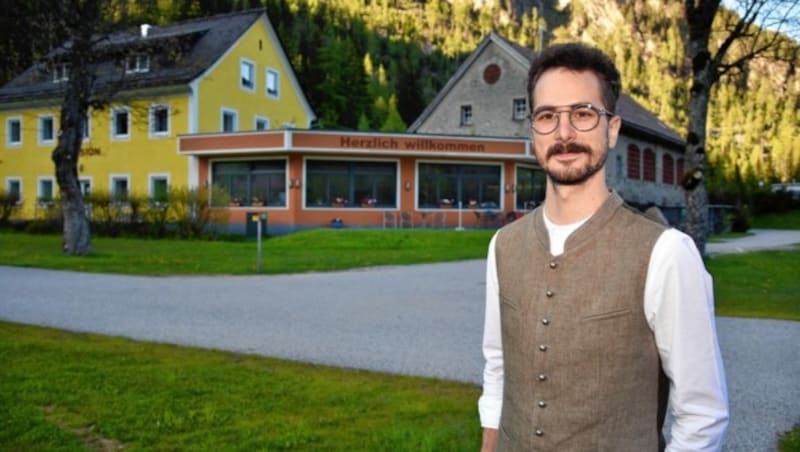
(491, 401)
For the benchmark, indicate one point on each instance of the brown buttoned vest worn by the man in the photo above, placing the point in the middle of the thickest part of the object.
(582, 372)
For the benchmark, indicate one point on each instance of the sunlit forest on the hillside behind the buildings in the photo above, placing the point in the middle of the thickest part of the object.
(375, 64)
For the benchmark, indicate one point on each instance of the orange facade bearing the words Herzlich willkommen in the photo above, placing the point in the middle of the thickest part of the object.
(405, 152)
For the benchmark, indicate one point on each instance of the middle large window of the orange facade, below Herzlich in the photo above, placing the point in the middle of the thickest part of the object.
(342, 183)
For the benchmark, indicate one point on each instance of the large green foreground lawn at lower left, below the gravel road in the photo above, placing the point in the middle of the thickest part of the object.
(67, 391)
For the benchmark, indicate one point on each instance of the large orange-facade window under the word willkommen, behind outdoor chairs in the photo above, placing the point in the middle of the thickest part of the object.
(444, 185)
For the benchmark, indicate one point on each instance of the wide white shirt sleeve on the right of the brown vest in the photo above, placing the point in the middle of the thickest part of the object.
(679, 306)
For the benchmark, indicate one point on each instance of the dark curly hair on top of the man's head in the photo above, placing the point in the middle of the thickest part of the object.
(578, 57)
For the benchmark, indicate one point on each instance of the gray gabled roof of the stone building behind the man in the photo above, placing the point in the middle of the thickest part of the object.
(636, 120)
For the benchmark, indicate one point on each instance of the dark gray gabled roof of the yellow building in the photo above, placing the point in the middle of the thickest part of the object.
(200, 43)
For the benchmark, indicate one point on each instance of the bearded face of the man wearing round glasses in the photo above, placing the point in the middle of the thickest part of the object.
(568, 155)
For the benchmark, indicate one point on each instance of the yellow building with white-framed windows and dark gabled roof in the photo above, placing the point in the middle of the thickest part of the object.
(223, 73)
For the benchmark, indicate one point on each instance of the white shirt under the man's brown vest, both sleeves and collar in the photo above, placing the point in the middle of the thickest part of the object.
(679, 307)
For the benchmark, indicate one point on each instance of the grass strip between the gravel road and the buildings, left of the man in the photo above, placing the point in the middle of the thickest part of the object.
(315, 250)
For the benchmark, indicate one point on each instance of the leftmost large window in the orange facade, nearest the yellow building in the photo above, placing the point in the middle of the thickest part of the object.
(252, 183)
